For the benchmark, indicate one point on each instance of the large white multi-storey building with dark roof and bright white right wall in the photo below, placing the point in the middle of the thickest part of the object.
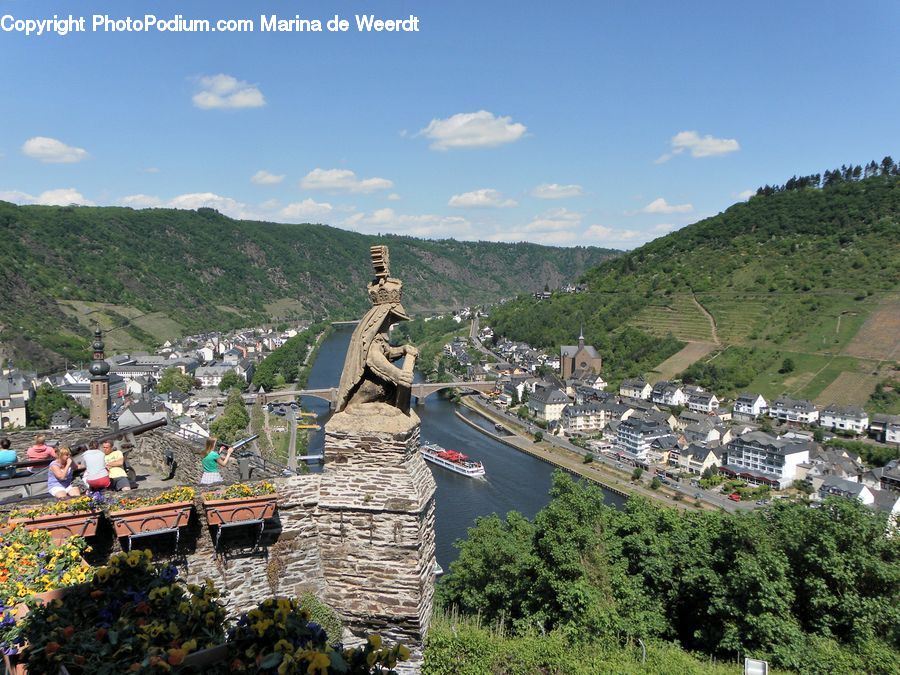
(762, 459)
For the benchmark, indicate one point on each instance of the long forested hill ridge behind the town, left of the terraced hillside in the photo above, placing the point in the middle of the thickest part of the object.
(164, 272)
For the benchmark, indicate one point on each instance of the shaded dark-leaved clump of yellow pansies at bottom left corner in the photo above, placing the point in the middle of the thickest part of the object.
(133, 616)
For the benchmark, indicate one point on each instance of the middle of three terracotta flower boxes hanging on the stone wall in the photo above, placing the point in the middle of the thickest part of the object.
(167, 510)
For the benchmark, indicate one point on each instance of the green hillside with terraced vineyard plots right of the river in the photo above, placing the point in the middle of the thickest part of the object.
(810, 275)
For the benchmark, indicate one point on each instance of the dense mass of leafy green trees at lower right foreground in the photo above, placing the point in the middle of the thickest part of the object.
(780, 583)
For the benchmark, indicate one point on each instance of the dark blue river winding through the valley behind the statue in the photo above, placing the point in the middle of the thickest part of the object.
(515, 481)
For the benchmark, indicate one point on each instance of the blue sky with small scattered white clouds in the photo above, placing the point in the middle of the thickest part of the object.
(599, 123)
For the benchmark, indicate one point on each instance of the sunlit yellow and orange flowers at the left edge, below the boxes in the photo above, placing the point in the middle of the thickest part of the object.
(34, 568)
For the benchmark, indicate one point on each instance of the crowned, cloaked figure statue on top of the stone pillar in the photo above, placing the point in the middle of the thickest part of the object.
(369, 373)
